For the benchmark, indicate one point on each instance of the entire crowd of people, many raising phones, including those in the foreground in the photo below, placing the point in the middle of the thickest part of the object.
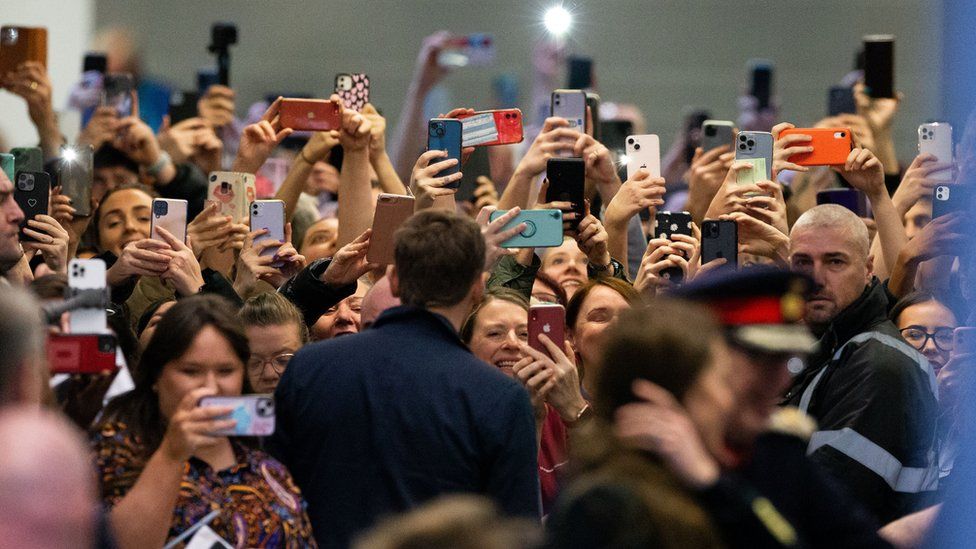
(814, 395)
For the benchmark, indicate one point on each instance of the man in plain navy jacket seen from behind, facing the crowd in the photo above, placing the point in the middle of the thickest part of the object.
(378, 422)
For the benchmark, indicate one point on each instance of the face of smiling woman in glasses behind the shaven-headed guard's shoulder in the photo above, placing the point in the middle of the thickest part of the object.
(926, 323)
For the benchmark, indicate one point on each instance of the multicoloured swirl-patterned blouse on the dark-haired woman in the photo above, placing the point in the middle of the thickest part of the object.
(259, 504)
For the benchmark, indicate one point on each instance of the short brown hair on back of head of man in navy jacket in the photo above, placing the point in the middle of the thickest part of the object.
(438, 257)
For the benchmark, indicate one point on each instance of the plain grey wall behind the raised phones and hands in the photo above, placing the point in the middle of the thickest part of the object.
(660, 55)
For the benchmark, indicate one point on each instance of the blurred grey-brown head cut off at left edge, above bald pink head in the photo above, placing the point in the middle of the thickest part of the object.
(22, 337)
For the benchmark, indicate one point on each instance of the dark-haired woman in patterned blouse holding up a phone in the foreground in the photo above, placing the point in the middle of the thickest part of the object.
(161, 469)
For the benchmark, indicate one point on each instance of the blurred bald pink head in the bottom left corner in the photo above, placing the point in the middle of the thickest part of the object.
(47, 485)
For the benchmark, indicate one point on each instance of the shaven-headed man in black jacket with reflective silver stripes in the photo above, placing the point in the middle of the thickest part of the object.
(872, 394)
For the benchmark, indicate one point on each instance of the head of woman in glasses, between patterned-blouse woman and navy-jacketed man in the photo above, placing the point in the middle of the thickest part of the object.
(276, 331)
